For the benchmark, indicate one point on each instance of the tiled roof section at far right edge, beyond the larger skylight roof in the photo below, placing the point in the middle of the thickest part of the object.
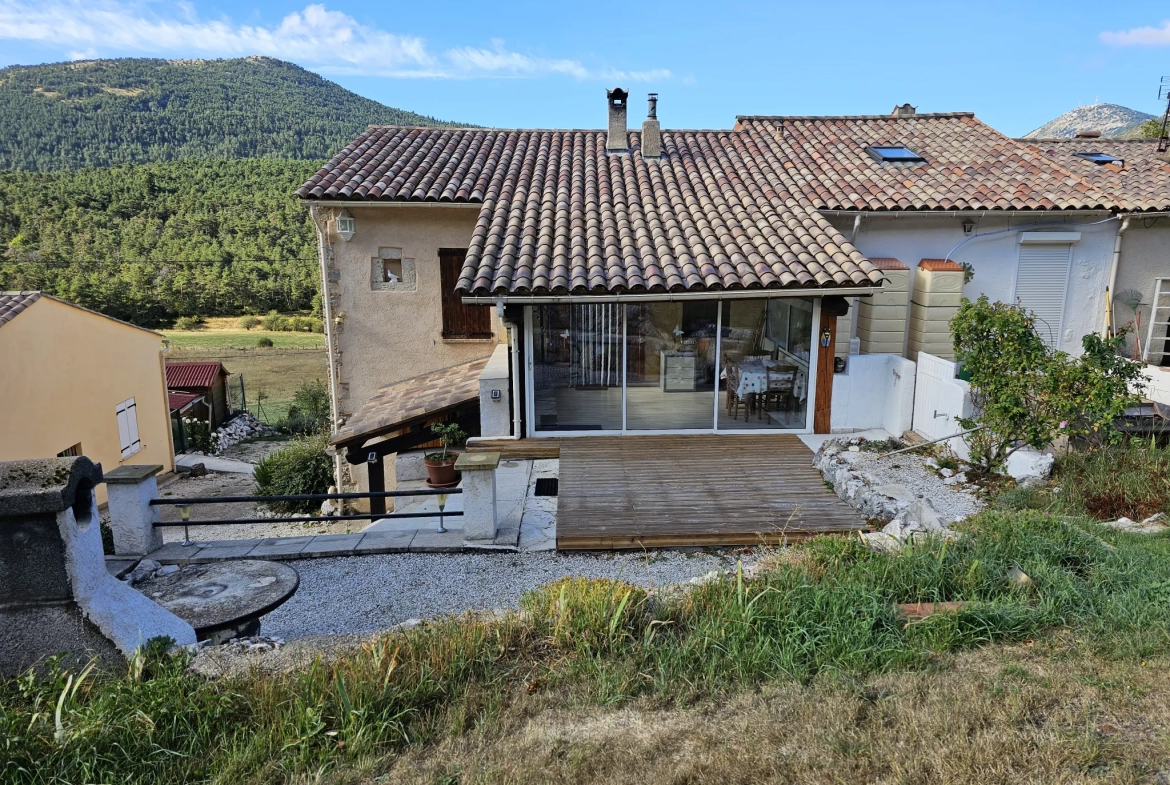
(1143, 184)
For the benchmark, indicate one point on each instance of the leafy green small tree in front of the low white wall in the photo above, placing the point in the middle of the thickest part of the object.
(1027, 395)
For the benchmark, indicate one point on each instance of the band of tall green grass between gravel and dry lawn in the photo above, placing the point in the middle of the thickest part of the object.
(829, 608)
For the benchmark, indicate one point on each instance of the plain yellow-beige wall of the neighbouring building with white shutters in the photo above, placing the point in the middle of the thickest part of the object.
(64, 371)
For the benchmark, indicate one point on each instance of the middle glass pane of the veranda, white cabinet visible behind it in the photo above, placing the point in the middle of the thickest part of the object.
(671, 366)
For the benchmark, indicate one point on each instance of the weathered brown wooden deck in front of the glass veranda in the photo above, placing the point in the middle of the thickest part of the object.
(669, 492)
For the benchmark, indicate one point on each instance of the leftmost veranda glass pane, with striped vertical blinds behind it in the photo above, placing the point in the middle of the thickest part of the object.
(577, 368)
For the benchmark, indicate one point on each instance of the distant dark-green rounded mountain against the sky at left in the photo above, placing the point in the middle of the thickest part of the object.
(105, 113)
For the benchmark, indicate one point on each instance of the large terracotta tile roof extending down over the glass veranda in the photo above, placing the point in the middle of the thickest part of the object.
(560, 216)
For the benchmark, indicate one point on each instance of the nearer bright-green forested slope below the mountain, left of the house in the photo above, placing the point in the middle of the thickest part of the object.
(199, 225)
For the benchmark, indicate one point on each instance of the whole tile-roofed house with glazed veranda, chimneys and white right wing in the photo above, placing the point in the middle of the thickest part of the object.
(683, 281)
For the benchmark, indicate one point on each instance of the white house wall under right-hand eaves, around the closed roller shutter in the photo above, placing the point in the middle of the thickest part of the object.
(913, 238)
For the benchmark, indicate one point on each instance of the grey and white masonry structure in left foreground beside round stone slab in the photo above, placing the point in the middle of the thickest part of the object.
(56, 594)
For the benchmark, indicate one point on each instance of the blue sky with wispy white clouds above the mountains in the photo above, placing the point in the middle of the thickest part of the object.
(546, 65)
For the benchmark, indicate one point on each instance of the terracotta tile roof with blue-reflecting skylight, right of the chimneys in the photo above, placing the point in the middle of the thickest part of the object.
(968, 166)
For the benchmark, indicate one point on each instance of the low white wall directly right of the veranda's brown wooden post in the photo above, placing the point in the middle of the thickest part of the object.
(876, 391)
